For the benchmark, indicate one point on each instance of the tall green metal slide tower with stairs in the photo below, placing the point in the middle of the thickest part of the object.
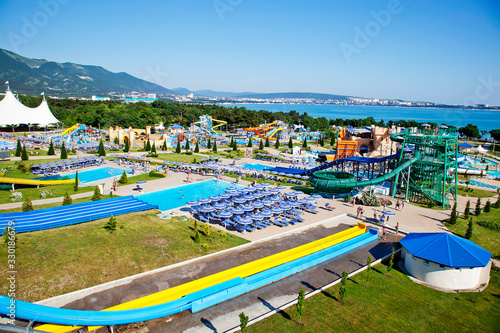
(433, 176)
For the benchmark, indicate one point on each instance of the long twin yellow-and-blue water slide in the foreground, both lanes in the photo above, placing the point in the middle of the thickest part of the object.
(201, 293)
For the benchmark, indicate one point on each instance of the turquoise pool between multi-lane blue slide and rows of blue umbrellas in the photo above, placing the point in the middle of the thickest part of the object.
(179, 196)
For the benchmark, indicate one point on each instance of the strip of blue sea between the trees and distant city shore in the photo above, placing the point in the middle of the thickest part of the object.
(484, 119)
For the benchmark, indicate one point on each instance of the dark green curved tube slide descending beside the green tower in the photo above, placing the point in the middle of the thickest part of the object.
(325, 181)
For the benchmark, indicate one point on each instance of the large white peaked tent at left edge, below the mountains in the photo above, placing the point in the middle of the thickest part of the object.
(13, 112)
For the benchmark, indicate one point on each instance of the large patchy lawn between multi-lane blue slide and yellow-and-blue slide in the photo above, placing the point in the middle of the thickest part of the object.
(57, 261)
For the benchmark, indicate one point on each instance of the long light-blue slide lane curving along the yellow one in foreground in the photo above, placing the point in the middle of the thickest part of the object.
(195, 301)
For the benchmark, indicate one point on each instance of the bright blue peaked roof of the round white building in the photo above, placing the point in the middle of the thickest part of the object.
(446, 249)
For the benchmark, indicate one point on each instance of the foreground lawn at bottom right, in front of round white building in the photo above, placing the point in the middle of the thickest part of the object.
(391, 304)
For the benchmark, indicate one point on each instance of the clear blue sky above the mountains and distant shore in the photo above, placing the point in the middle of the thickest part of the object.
(440, 51)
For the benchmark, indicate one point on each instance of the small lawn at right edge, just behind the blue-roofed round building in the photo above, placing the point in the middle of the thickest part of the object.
(484, 237)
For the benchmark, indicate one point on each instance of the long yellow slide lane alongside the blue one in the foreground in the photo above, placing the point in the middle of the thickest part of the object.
(241, 271)
